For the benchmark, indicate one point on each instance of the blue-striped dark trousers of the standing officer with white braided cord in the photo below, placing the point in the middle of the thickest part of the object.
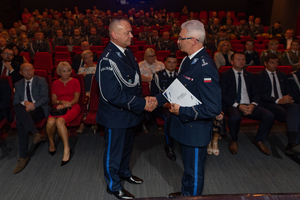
(118, 147)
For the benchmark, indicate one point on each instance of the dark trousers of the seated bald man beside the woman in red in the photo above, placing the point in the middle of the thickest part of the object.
(25, 124)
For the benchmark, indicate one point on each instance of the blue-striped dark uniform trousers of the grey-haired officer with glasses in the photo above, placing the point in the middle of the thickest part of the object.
(193, 176)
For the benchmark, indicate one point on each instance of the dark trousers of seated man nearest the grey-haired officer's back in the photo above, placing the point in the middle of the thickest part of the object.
(259, 113)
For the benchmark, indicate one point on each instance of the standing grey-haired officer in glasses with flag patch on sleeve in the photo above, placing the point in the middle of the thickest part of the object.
(192, 126)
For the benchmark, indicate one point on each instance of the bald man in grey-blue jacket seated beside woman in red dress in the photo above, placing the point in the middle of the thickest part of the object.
(30, 106)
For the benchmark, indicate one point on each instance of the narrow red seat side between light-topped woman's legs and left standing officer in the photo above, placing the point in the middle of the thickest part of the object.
(94, 101)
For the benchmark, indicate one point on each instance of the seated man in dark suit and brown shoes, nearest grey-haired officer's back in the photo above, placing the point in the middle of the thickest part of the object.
(240, 98)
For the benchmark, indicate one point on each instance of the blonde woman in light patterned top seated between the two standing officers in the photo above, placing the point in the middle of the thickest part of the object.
(150, 65)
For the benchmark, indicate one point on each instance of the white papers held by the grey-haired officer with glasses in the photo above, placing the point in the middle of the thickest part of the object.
(177, 93)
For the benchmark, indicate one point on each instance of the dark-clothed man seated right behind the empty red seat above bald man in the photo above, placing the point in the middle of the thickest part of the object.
(39, 44)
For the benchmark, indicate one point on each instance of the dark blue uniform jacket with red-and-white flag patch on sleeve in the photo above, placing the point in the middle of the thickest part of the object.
(194, 125)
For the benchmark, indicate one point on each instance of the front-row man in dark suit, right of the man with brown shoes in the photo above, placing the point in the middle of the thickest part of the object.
(274, 94)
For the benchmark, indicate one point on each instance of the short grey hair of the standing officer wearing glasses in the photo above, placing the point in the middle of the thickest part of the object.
(194, 29)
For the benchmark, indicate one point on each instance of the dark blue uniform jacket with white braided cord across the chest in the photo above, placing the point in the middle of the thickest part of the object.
(121, 104)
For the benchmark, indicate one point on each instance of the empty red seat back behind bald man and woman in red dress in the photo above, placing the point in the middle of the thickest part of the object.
(43, 60)
